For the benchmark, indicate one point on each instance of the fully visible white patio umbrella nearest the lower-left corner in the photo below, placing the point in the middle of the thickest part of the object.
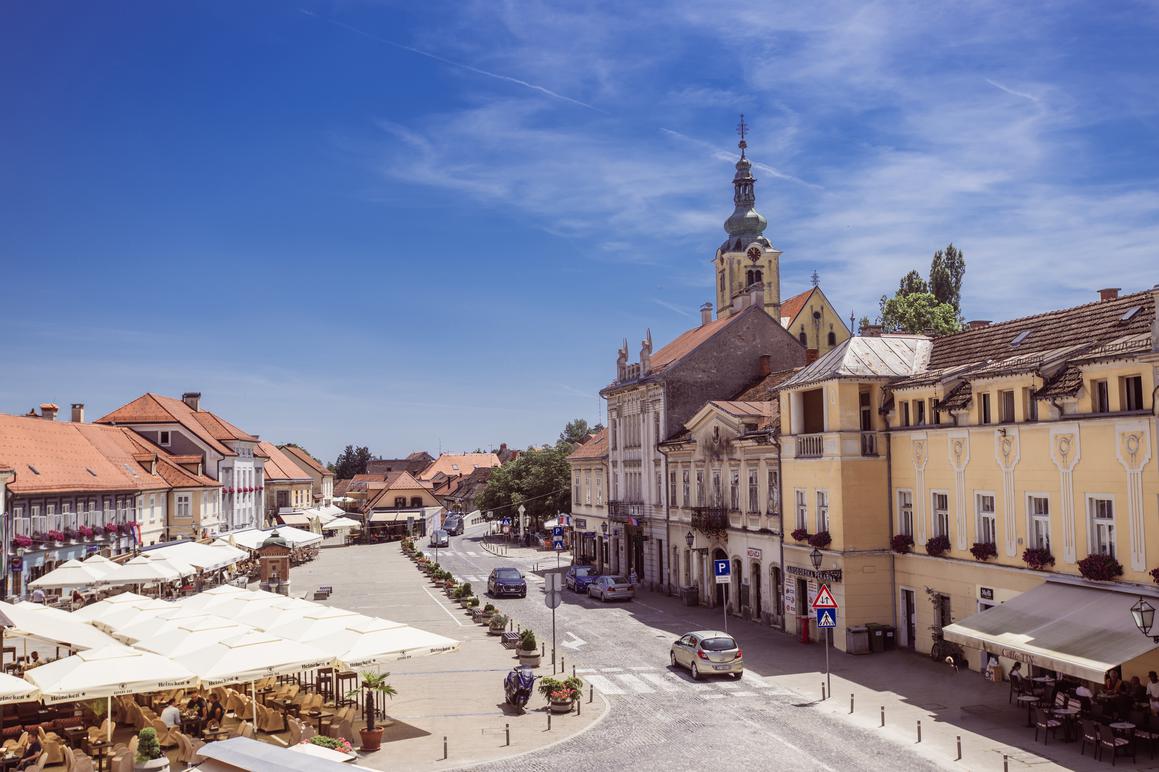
(108, 672)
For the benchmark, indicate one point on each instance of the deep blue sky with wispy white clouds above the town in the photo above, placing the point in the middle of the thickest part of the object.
(411, 225)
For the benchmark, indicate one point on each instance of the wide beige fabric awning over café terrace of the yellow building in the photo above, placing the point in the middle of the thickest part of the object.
(1078, 631)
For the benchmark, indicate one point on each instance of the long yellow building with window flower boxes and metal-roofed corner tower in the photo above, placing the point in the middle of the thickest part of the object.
(956, 475)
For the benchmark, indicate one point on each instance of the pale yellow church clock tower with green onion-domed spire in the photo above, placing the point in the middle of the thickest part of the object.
(747, 260)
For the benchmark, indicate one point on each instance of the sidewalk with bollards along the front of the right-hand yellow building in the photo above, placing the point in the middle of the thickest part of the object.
(910, 688)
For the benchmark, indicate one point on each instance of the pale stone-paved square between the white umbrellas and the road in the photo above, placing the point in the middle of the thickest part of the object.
(458, 695)
